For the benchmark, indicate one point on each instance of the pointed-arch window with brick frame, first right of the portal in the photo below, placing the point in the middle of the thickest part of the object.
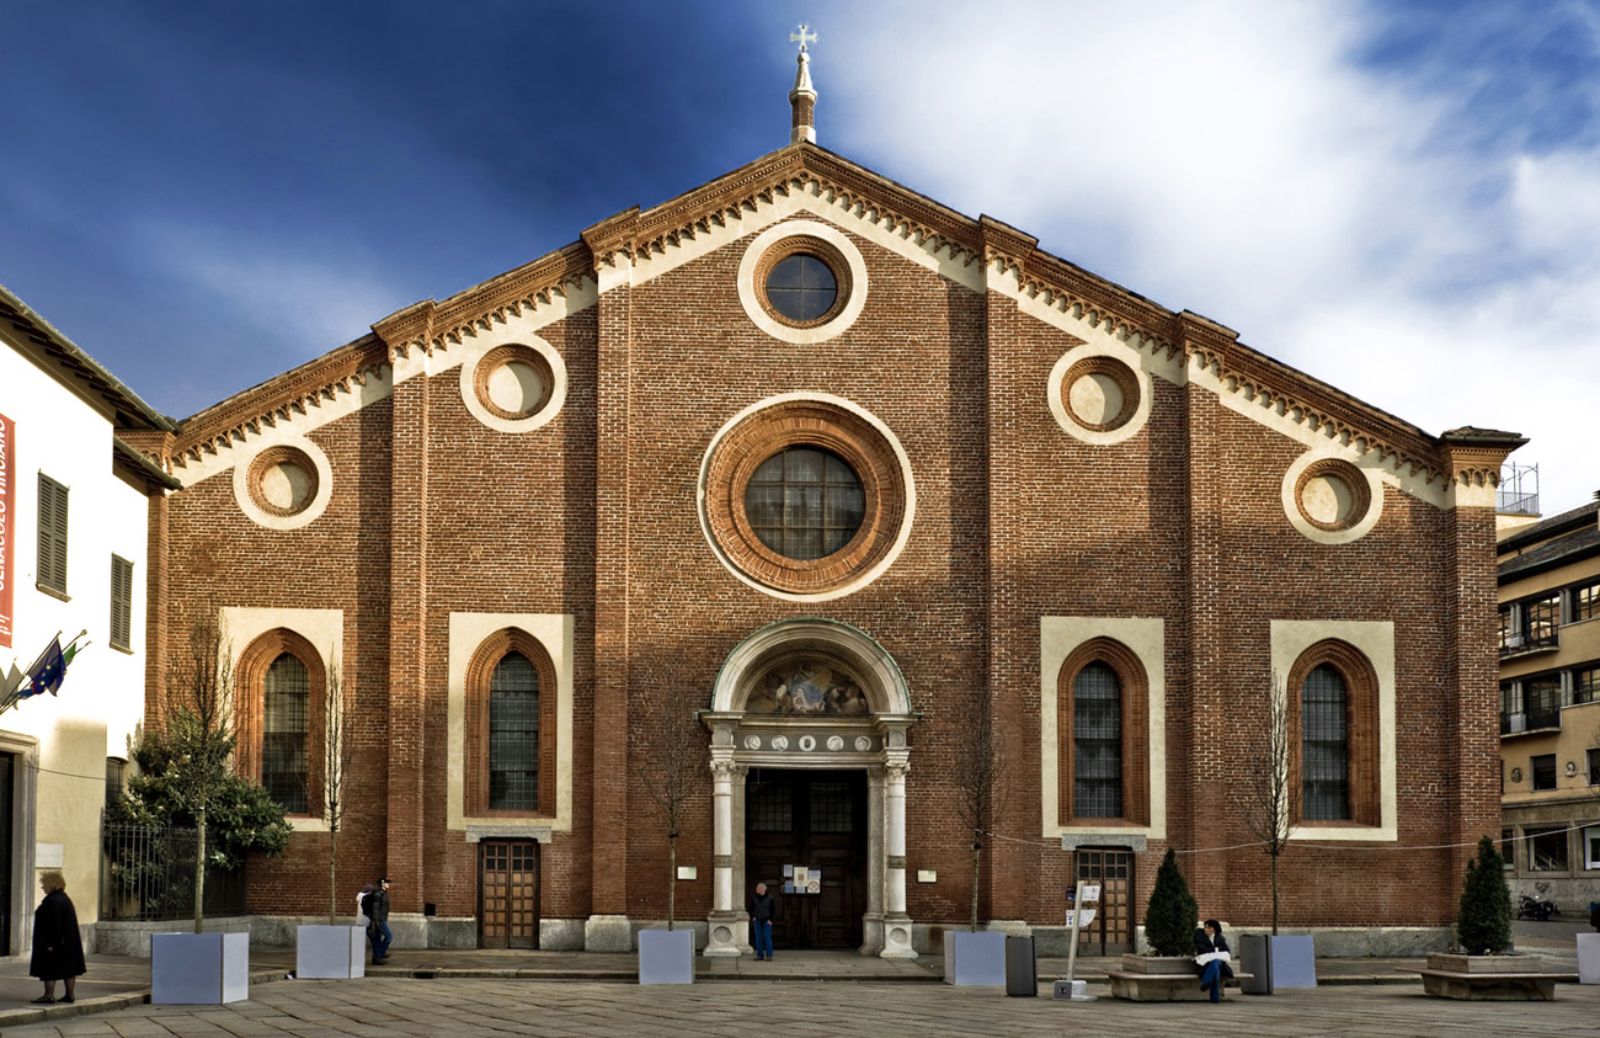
(1103, 708)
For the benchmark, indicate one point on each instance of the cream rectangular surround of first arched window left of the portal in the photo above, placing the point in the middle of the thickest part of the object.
(468, 631)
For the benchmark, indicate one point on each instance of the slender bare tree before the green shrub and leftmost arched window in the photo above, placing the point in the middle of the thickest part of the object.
(201, 733)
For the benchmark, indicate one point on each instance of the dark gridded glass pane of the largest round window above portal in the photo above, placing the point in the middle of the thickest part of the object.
(804, 503)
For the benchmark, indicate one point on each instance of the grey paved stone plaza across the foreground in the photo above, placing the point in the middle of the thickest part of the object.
(409, 1007)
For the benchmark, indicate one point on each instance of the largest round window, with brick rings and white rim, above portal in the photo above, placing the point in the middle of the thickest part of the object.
(806, 497)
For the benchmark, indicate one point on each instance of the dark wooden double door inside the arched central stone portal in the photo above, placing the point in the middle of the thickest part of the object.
(817, 821)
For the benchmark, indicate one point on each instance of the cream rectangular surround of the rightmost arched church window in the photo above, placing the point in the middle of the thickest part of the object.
(1377, 642)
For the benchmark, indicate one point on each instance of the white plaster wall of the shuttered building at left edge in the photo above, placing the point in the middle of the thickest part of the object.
(102, 703)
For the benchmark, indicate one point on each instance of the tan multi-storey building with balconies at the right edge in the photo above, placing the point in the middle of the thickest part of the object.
(1550, 652)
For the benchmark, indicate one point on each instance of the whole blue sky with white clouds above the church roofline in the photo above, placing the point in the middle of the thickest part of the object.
(1402, 199)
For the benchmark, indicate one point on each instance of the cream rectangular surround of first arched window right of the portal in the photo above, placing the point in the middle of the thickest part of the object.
(1058, 639)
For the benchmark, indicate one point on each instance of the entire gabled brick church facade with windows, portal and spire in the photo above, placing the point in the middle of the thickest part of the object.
(836, 495)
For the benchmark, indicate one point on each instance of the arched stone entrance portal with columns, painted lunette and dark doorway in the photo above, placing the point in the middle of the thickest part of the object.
(825, 709)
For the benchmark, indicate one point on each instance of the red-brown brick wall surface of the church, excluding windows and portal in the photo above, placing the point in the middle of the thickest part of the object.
(596, 516)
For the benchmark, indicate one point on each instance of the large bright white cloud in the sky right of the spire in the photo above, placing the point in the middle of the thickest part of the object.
(1236, 161)
